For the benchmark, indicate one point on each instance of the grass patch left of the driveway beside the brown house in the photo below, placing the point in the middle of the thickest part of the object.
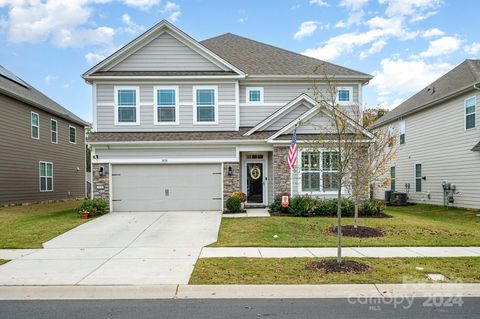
(30, 226)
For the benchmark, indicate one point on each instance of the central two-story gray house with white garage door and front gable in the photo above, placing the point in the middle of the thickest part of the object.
(181, 124)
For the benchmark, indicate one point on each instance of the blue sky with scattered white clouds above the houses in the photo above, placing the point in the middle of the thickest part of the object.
(406, 44)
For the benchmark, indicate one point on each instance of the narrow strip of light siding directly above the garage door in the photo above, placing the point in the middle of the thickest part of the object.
(190, 153)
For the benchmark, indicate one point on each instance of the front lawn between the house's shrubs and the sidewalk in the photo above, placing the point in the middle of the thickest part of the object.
(418, 225)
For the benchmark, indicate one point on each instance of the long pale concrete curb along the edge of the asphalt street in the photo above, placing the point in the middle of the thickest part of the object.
(350, 291)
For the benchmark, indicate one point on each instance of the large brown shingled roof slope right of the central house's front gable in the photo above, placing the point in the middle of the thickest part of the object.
(256, 58)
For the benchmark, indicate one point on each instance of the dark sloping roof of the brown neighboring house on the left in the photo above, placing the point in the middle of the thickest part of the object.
(11, 85)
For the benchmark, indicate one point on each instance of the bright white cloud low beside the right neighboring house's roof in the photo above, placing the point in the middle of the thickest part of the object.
(399, 78)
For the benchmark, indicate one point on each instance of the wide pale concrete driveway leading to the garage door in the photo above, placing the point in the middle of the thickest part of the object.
(119, 249)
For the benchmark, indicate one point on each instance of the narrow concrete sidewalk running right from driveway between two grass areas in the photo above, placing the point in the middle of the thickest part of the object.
(272, 252)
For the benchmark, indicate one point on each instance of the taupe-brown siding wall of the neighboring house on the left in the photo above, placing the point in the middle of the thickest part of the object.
(20, 156)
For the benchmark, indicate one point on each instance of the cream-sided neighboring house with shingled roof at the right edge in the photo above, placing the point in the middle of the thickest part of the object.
(439, 139)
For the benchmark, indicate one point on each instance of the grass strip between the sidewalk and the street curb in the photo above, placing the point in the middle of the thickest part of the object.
(216, 271)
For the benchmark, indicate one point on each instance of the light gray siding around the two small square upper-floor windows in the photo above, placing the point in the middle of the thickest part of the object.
(276, 95)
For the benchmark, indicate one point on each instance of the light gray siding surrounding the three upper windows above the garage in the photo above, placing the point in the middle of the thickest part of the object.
(106, 111)
